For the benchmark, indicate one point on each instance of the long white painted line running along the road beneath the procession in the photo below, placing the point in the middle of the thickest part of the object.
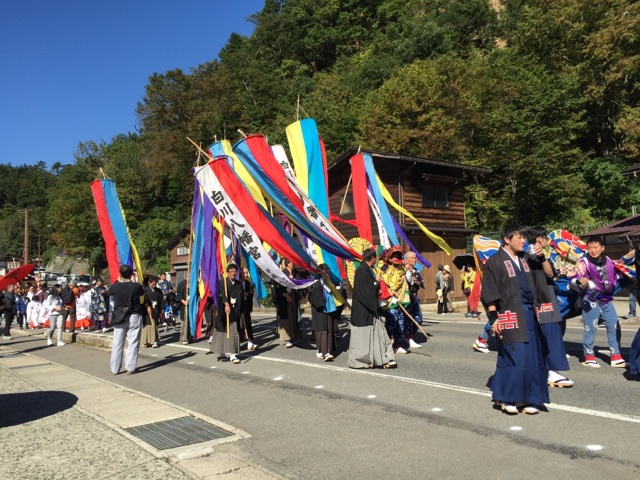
(473, 391)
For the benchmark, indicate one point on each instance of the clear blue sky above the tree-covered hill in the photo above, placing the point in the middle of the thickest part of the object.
(73, 70)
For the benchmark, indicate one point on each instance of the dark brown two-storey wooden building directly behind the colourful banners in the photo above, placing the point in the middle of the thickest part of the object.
(432, 191)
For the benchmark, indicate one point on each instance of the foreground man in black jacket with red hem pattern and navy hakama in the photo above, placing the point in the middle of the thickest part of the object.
(509, 296)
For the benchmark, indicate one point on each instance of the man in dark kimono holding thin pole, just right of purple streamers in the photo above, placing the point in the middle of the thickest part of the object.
(226, 339)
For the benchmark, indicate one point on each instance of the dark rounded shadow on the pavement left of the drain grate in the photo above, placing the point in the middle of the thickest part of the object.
(24, 407)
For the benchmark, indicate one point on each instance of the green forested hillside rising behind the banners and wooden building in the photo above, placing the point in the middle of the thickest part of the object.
(545, 93)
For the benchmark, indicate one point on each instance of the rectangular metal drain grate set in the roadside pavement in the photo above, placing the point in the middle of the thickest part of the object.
(178, 432)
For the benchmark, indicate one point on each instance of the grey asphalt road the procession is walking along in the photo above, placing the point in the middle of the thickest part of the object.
(430, 418)
